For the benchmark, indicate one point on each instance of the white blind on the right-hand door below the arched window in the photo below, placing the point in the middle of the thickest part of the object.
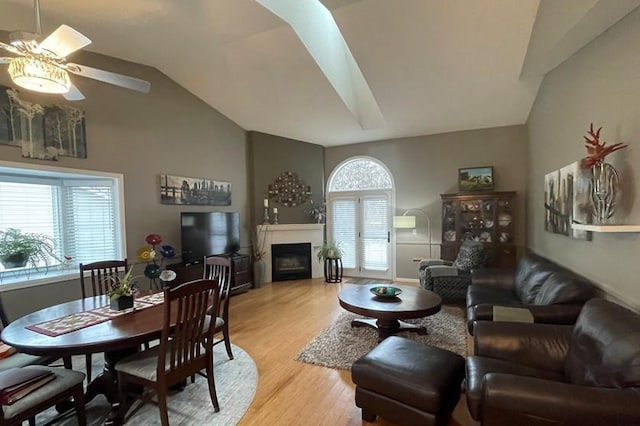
(375, 233)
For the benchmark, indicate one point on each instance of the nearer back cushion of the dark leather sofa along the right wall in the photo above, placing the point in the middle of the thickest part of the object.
(563, 286)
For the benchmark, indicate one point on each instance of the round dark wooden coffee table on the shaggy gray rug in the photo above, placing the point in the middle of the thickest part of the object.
(386, 315)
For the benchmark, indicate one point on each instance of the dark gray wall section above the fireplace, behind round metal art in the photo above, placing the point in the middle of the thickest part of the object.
(271, 155)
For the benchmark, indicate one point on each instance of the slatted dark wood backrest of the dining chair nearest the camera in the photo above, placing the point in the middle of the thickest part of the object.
(187, 332)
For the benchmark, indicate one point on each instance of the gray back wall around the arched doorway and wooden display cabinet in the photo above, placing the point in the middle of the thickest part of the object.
(424, 167)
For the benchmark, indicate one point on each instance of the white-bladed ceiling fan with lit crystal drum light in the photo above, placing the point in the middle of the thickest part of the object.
(42, 66)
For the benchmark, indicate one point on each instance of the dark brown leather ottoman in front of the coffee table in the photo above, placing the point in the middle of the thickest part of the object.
(408, 382)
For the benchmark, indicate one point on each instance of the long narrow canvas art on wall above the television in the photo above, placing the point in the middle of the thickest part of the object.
(194, 191)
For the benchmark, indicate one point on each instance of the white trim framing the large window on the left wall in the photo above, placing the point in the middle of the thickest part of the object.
(41, 172)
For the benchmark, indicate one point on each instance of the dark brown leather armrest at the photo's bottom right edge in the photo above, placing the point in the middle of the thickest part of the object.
(517, 400)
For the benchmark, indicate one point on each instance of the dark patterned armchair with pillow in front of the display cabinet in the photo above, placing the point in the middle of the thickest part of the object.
(451, 279)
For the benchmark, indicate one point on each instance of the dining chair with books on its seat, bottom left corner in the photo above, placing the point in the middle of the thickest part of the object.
(67, 384)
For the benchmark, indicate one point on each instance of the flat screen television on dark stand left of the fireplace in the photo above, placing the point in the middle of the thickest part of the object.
(208, 233)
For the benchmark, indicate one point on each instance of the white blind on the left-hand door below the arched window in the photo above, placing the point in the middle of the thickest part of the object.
(343, 214)
